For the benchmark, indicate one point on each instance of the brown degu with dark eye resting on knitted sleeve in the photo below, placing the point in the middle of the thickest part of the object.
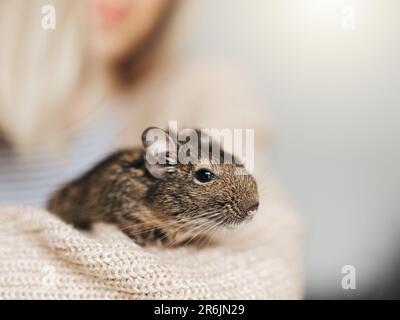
(157, 198)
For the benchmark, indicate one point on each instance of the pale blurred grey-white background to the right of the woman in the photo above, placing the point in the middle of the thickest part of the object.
(327, 73)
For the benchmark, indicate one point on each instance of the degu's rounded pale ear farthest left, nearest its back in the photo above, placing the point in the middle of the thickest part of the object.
(160, 152)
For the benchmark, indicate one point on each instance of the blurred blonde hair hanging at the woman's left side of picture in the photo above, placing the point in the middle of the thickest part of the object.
(43, 72)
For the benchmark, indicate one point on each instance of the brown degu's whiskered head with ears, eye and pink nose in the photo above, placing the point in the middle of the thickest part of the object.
(196, 180)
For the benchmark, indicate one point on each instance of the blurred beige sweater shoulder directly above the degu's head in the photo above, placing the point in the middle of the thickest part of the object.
(203, 93)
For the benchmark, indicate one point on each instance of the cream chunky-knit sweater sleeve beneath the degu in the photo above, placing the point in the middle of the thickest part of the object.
(43, 258)
